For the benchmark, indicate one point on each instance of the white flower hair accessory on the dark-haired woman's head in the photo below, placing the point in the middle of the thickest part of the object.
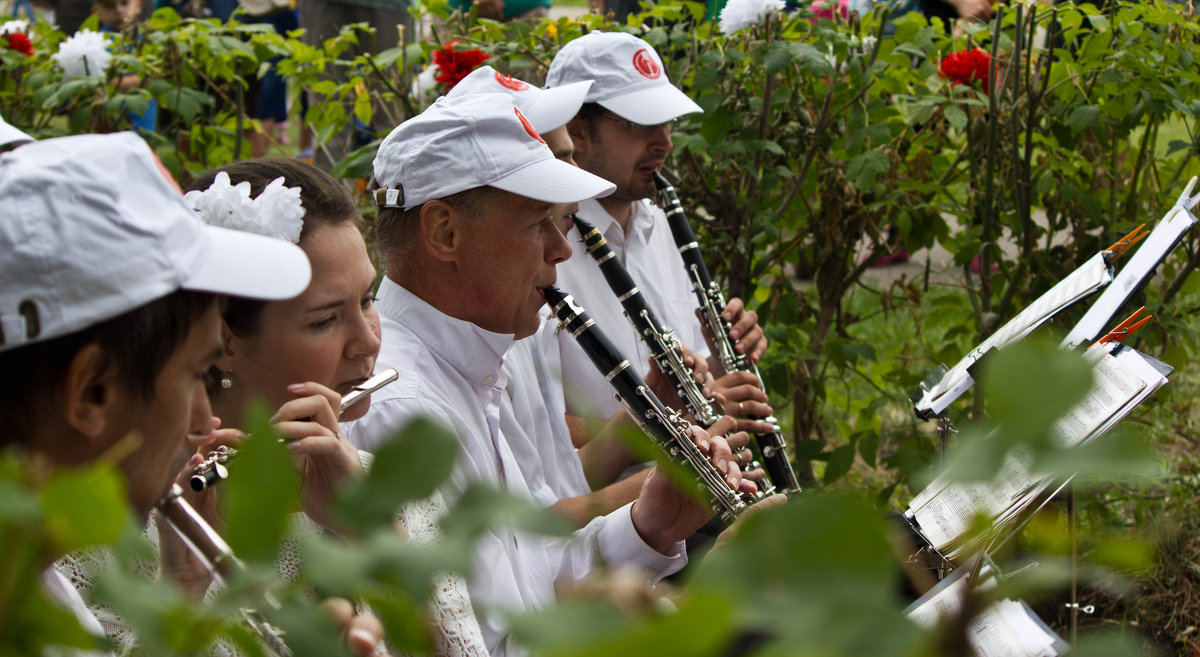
(277, 213)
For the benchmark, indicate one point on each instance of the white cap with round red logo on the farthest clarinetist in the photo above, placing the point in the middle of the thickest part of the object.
(629, 77)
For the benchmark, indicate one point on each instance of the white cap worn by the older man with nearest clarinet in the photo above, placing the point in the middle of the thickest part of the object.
(476, 141)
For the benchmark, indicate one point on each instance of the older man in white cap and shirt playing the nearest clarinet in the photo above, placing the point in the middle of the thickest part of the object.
(467, 194)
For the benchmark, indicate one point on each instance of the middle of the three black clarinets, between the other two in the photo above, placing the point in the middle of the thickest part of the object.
(662, 342)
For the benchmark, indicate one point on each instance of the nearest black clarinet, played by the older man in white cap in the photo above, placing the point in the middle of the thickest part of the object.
(667, 427)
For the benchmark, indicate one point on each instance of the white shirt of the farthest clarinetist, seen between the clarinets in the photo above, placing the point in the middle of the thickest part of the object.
(650, 255)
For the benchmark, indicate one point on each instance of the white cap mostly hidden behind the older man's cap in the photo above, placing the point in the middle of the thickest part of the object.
(545, 109)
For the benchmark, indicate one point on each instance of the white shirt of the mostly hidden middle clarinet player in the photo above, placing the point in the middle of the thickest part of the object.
(536, 427)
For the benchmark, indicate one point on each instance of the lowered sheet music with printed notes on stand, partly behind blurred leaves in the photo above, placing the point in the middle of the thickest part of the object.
(945, 510)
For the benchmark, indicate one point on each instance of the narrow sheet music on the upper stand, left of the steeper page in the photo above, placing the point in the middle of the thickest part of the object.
(1088, 279)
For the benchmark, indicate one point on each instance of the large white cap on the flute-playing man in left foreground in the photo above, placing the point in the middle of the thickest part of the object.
(92, 230)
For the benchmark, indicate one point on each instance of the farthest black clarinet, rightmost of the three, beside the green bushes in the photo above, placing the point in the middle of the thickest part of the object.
(712, 305)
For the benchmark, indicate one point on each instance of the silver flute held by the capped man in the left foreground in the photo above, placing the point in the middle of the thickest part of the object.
(217, 556)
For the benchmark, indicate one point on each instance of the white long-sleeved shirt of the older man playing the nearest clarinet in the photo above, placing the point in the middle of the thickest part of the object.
(451, 371)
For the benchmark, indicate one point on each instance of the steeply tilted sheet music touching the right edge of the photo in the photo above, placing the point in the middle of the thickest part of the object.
(1136, 273)
